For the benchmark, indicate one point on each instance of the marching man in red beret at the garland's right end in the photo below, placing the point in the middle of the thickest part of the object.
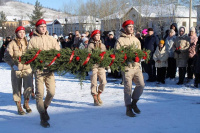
(132, 71)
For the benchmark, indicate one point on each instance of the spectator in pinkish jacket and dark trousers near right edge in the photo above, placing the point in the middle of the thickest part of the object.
(192, 52)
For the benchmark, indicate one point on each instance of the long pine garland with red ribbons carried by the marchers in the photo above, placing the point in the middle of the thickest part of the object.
(80, 61)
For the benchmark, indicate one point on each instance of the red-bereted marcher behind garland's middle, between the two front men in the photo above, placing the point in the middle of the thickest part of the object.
(97, 71)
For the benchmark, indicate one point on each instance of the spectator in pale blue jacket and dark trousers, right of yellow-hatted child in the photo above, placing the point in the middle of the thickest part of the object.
(169, 42)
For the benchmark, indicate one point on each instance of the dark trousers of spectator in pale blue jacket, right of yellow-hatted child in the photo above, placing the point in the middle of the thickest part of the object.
(171, 69)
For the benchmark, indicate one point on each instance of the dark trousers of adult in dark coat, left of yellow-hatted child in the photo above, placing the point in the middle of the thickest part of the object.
(151, 70)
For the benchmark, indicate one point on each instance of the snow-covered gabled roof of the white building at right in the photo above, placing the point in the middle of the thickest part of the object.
(163, 10)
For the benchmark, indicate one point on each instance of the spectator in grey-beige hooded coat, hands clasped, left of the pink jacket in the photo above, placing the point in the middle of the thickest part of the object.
(181, 47)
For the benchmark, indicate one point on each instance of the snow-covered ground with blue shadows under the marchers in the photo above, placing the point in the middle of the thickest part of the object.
(165, 109)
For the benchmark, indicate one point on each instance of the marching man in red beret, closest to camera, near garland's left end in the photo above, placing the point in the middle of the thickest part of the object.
(41, 40)
